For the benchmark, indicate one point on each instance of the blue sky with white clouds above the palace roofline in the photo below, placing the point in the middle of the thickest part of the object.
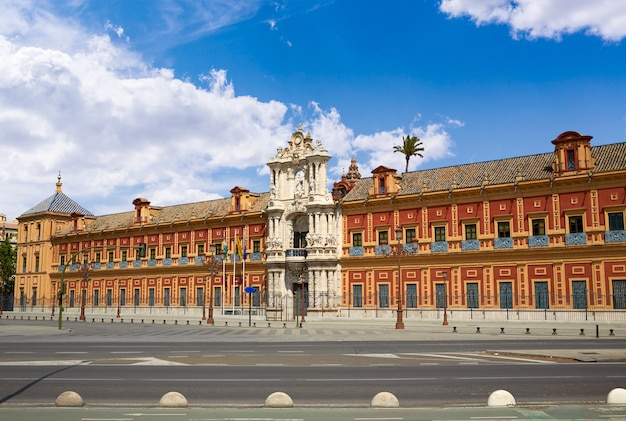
(181, 100)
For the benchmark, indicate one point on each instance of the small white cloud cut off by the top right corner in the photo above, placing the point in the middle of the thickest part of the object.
(546, 18)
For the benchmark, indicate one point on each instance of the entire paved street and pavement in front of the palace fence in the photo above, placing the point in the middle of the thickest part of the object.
(331, 369)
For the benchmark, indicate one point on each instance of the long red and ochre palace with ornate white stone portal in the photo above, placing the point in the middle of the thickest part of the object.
(529, 234)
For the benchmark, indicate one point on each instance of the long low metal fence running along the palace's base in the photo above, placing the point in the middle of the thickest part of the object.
(378, 305)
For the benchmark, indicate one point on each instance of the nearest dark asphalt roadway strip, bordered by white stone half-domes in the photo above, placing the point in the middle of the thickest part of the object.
(415, 385)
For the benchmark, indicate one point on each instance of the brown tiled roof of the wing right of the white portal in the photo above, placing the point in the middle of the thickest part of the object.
(532, 167)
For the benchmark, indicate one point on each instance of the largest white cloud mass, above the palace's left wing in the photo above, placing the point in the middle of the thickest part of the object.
(116, 127)
